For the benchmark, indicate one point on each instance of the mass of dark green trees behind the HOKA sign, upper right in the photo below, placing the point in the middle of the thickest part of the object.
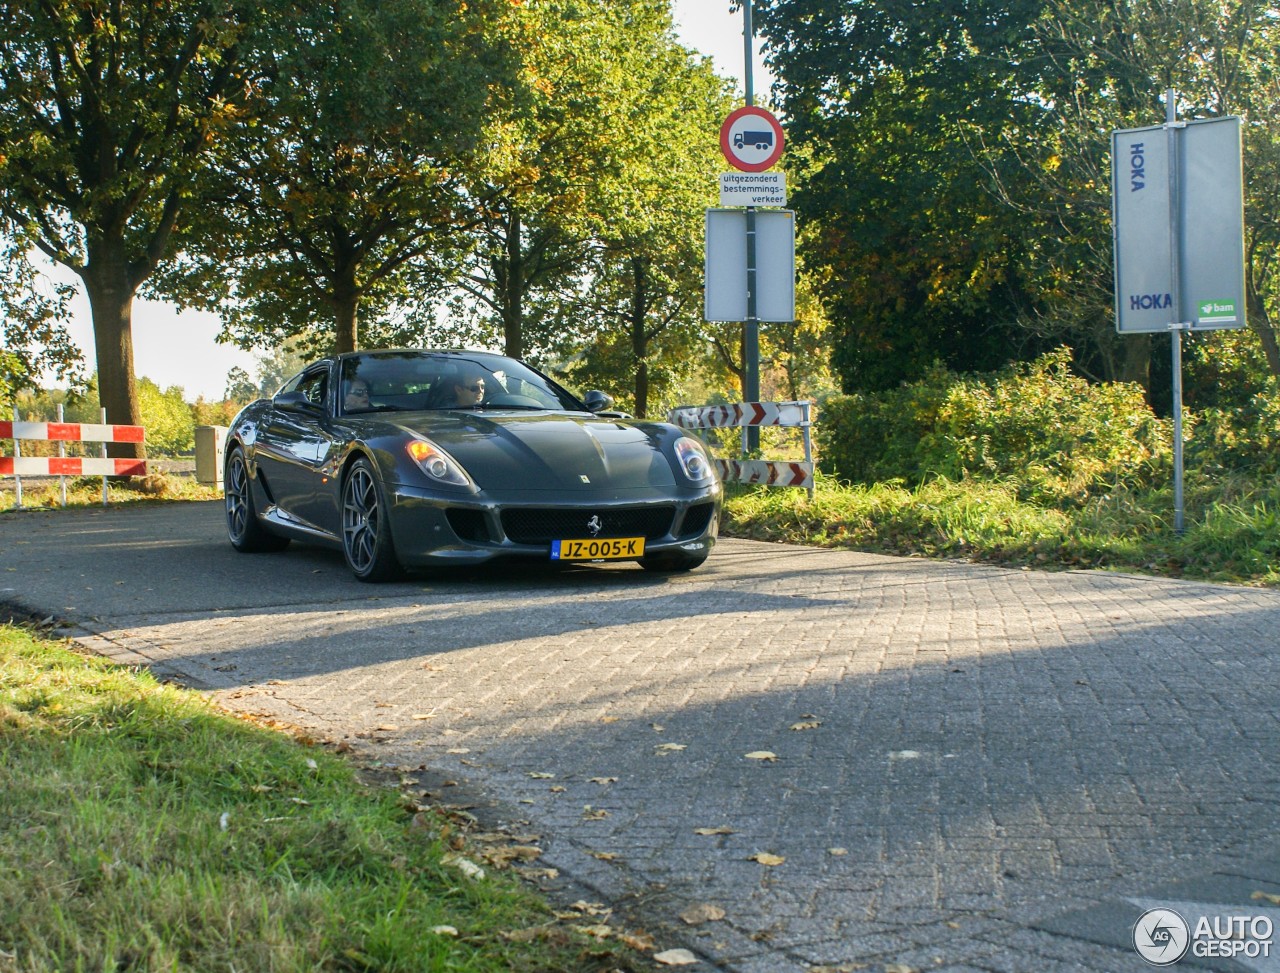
(956, 159)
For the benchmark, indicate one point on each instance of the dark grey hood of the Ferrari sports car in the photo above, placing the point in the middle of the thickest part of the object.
(568, 454)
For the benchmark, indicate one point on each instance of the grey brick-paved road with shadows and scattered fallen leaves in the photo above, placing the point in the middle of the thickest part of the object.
(976, 769)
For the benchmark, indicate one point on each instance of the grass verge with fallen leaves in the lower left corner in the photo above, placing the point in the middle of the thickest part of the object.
(141, 829)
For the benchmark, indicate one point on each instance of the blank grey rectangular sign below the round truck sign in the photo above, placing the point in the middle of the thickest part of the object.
(775, 266)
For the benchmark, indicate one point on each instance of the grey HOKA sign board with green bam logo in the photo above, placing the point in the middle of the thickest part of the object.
(1178, 220)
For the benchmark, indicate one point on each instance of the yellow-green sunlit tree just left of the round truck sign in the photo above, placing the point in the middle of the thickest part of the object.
(596, 106)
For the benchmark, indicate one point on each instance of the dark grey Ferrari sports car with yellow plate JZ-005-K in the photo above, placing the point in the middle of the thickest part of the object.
(429, 459)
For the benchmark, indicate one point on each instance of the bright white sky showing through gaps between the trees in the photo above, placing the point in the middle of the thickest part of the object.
(173, 349)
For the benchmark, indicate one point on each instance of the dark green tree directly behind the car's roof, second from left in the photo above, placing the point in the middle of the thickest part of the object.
(373, 113)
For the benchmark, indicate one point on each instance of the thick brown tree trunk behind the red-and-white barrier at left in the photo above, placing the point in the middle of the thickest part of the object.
(111, 299)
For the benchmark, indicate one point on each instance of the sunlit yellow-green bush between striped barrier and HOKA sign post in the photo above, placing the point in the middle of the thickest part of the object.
(1039, 426)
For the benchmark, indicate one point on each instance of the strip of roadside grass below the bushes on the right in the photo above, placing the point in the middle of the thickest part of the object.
(1232, 526)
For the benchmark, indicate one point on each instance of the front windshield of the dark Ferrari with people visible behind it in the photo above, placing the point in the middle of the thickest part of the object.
(413, 381)
